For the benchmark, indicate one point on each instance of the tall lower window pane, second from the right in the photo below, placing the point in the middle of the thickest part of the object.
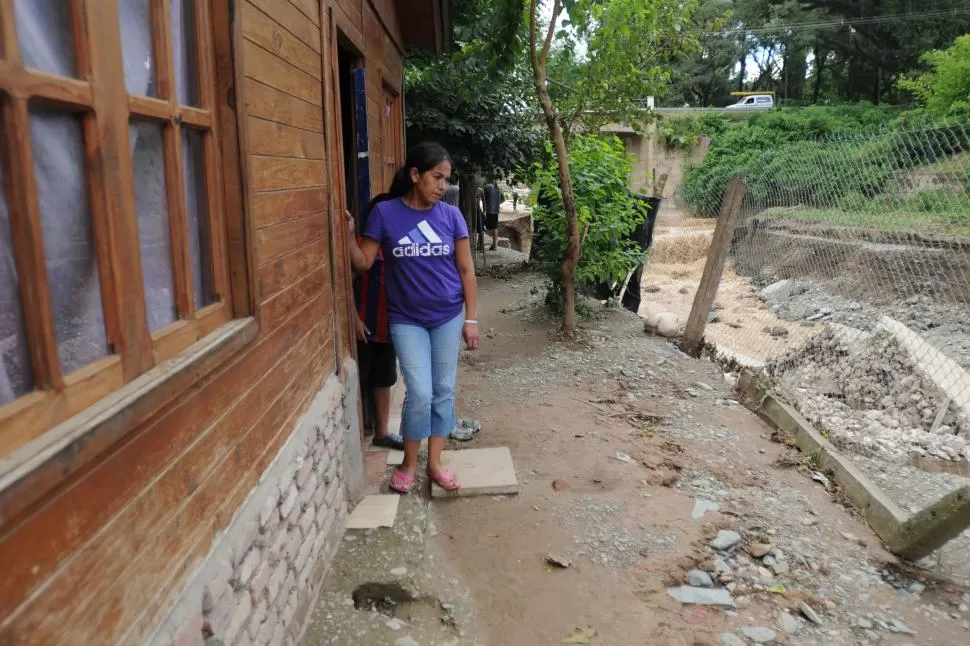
(154, 231)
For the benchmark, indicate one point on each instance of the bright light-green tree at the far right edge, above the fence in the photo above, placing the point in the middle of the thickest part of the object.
(945, 88)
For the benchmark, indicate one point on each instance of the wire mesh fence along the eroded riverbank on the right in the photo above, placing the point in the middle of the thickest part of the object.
(848, 283)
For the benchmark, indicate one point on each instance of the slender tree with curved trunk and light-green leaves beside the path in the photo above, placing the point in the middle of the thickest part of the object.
(629, 46)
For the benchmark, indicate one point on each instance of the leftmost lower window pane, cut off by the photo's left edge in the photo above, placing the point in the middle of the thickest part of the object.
(16, 375)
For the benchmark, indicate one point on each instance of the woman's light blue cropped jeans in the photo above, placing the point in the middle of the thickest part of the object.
(429, 365)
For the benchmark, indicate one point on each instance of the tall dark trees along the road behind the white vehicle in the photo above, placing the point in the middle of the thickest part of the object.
(814, 51)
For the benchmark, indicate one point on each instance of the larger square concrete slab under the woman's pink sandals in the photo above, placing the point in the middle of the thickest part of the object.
(482, 472)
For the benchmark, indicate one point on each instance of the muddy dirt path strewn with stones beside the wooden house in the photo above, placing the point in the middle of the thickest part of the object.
(615, 439)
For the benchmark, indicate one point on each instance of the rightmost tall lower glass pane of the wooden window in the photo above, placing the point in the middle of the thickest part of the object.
(197, 212)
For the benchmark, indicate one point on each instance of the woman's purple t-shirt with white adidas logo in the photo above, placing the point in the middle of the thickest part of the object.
(421, 279)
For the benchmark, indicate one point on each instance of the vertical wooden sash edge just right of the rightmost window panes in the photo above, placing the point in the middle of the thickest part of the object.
(213, 169)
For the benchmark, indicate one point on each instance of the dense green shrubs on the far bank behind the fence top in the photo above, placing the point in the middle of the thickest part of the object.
(815, 156)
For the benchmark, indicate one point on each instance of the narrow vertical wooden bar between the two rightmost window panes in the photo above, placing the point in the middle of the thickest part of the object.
(174, 179)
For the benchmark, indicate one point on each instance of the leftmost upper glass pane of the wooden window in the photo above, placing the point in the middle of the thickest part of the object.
(46, 33)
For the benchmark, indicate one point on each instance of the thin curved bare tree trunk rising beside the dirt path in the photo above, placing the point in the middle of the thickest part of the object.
(573, 244)
